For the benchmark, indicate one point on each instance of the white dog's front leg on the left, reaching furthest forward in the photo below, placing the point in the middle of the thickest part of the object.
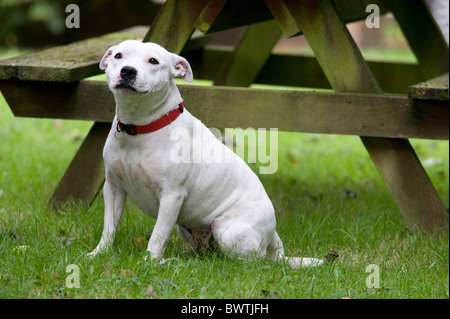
(115, 198)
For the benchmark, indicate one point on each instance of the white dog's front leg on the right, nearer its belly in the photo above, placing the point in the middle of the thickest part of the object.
(169, 209)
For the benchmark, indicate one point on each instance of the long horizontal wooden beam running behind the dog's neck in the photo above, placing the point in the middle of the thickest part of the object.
(221, 107)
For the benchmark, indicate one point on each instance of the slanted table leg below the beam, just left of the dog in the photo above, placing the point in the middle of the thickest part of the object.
(85, 174)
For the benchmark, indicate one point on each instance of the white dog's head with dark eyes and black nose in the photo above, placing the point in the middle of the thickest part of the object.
(136, 67)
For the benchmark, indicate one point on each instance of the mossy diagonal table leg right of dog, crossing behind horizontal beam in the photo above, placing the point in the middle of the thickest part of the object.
(347, 71)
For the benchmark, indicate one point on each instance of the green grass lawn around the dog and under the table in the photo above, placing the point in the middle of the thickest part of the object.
(326, 192)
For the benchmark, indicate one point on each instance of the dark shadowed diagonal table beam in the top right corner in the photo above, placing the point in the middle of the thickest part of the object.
(423, 35)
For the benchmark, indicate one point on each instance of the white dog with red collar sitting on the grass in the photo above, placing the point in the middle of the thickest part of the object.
(221, 202)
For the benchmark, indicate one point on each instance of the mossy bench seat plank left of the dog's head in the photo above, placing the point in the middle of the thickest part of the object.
(66, 63)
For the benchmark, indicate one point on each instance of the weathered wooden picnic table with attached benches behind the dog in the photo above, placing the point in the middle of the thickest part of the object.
(50, 84)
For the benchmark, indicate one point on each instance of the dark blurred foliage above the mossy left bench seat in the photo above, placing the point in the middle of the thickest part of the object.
(37, 23)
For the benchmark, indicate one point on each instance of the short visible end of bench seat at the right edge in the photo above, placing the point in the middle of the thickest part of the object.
(434, 89)
